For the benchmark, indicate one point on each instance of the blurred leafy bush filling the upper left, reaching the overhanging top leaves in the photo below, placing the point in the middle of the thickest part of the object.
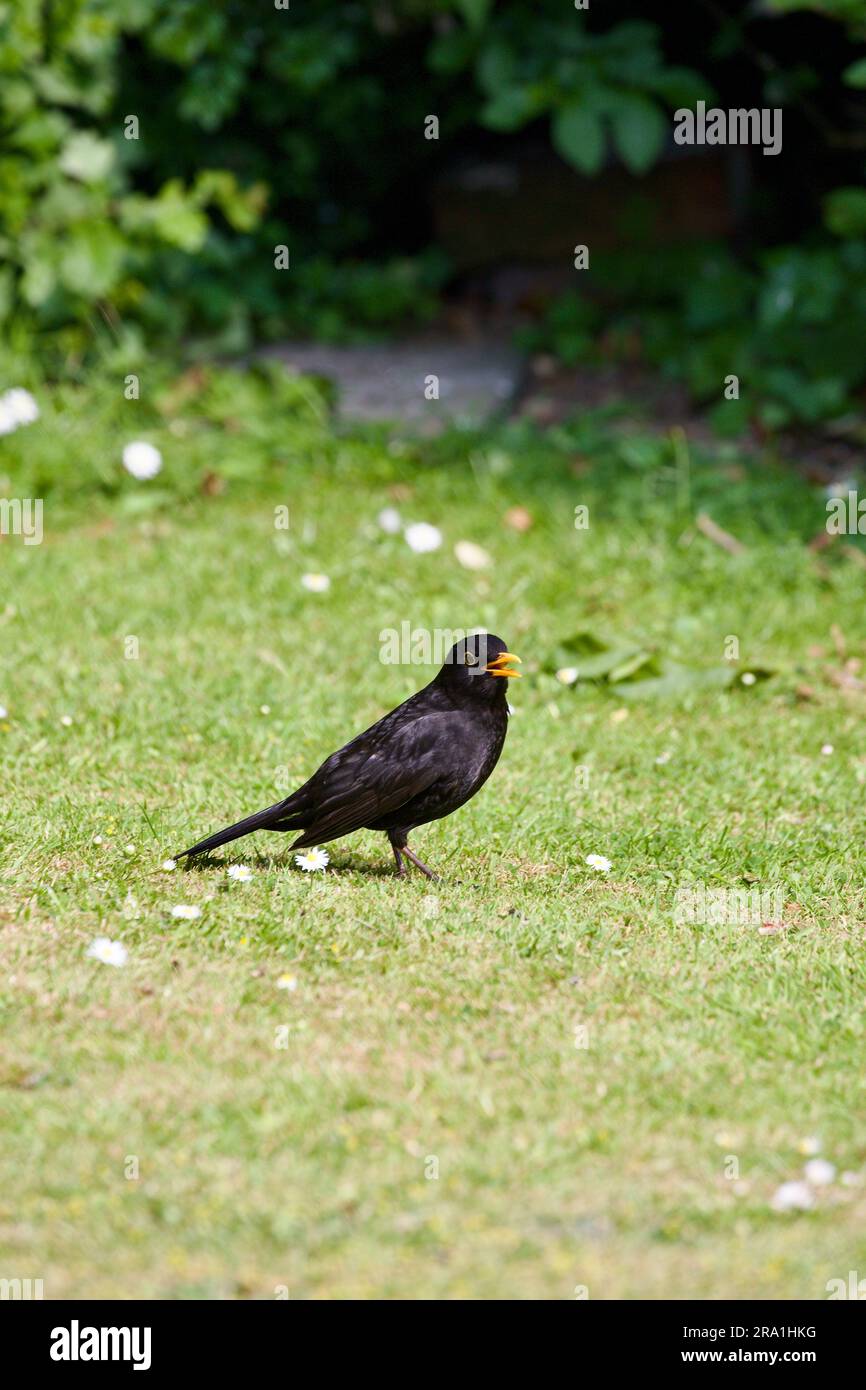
(156, 152)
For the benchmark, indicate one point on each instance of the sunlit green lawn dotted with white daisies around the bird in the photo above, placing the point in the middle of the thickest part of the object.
(419, 1118)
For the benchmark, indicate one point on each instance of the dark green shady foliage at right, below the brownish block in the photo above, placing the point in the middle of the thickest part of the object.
(790, 327)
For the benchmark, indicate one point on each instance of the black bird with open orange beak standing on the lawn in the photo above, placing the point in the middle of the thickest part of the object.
(418, 764)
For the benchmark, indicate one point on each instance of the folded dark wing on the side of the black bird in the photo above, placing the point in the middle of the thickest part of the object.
(366, 782)
